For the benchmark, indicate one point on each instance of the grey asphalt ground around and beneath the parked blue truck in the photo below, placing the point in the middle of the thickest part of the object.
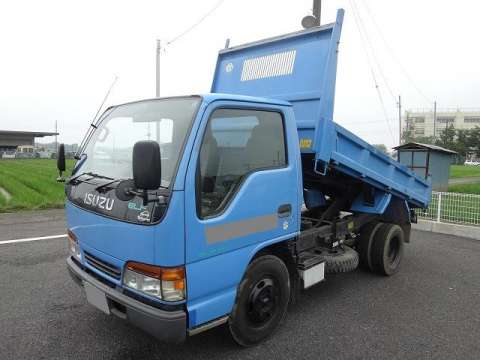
(429, 310)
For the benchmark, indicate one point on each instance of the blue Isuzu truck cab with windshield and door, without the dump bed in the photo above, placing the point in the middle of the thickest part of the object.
(237, 187)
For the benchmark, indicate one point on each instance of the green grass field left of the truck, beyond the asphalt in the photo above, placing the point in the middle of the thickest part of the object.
(31, 183)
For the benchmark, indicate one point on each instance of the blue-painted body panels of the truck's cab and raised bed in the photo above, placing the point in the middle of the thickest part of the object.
(305, 98)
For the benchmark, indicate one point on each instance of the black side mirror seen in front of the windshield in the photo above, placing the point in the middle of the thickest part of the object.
(147, 165)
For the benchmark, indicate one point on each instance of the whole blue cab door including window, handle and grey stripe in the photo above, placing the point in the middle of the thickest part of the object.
(240, 191)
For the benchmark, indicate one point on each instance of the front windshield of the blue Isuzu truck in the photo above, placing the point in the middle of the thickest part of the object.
(109, 152)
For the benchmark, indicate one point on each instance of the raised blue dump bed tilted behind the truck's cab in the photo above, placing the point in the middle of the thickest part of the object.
(301, 69)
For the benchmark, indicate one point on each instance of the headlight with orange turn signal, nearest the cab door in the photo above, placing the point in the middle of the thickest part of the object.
(163, 283)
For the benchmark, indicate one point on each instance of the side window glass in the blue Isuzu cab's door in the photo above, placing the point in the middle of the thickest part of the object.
(236, 142)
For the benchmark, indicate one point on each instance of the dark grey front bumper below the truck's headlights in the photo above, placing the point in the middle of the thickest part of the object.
(168, 326)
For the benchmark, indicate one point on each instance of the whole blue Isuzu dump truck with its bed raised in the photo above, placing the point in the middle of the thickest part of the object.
(185, 213)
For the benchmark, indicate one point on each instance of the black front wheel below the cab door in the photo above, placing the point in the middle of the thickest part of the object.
(262, 301)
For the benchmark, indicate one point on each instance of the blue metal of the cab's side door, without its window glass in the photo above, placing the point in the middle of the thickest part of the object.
(215, 268)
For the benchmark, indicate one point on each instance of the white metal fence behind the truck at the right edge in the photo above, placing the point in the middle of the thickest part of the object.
(453, 208)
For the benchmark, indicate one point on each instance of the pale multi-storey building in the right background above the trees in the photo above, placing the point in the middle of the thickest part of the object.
(421, 123)
